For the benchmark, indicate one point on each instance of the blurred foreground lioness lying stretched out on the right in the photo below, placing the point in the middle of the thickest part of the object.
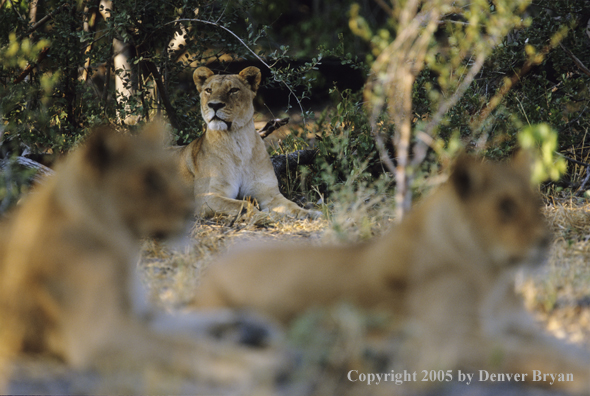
(447, 268)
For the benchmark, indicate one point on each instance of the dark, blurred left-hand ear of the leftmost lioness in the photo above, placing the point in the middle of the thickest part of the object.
(104, 147)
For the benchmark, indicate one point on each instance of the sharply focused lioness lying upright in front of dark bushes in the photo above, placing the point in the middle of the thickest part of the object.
(229, 162)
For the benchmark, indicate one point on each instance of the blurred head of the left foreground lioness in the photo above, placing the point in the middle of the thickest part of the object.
(139, 179)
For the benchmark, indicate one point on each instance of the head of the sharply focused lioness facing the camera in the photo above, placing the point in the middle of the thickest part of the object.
(226, 100)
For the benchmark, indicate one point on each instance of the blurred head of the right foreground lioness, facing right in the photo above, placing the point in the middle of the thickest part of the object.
(503, 210)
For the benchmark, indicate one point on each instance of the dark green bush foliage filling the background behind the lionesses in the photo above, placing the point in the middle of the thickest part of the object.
(57, 78)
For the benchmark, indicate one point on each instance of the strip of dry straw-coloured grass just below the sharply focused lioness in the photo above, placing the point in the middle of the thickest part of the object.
(173, 271)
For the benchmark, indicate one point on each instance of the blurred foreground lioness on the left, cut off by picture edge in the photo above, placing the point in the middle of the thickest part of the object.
(67, 287)
